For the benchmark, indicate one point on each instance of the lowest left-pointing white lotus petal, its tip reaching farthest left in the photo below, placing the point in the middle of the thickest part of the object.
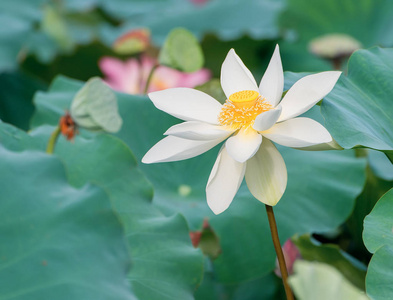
(173, 148)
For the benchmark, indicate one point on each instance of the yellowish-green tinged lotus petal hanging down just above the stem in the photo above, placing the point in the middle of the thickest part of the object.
(266, 174)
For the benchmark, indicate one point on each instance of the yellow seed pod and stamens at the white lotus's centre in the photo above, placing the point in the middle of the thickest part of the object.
(241, 109)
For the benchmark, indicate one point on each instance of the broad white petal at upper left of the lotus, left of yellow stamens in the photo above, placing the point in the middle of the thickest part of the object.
(187, 104)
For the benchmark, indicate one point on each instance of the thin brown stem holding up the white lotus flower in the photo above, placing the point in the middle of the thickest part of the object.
(280, 255)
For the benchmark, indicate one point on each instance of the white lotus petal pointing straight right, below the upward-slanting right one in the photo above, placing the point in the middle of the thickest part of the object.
(298, 133)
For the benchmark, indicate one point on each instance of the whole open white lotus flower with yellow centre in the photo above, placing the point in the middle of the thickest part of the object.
(250, 119)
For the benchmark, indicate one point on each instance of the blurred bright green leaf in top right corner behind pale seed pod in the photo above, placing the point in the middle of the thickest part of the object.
(365, 20)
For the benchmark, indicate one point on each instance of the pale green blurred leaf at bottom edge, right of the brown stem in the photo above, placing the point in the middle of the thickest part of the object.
(315, 280)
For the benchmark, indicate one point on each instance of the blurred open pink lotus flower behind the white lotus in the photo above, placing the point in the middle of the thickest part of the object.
(130, 76)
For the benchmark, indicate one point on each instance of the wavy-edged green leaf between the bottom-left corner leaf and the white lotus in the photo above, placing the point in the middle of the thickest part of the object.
(165, 264)
